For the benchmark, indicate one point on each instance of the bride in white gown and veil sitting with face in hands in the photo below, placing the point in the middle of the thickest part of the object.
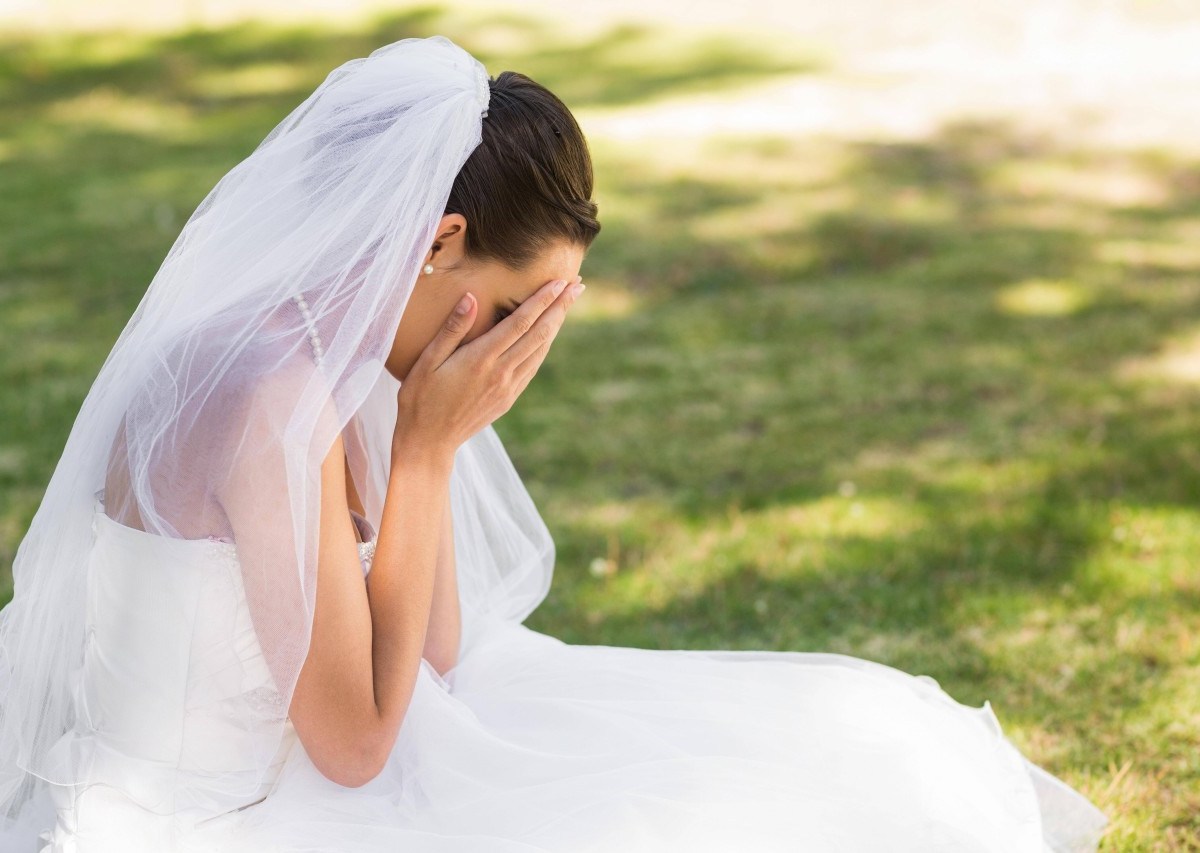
(273, 598)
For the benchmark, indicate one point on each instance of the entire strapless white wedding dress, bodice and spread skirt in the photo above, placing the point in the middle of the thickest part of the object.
(530, 744)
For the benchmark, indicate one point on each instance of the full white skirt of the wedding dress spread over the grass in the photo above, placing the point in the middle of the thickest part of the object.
(532, 744)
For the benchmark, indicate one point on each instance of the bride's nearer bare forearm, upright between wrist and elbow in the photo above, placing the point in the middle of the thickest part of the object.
(401, 581)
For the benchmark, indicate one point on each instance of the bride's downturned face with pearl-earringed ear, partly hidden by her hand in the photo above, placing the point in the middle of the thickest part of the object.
(497, 291)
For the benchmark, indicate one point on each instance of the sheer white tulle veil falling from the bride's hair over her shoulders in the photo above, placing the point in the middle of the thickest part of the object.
(214, 387)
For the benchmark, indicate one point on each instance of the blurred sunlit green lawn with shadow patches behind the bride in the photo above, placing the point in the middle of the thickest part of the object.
(892, 344)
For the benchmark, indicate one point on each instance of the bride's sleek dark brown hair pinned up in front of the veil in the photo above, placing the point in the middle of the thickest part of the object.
(529, 184)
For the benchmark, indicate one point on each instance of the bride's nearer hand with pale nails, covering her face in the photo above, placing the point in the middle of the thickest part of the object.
(452, 394)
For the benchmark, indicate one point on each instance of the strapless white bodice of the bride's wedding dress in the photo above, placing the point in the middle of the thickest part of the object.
(176, 705)
